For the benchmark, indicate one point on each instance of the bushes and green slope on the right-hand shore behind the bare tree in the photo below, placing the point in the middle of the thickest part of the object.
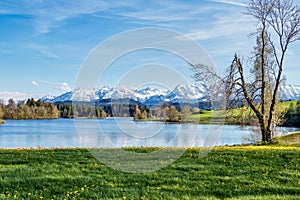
(289, 115)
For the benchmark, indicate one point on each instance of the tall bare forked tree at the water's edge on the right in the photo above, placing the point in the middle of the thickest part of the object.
(278, 26)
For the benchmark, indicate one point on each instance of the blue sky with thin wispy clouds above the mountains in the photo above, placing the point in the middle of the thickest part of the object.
(44, 42)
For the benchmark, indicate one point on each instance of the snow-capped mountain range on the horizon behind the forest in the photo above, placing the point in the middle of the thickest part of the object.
(153, 96)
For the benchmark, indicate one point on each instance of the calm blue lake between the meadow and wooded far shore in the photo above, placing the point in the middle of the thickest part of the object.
(118, 132)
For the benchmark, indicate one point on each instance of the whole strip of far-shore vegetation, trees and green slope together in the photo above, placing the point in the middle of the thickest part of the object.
(31, 109)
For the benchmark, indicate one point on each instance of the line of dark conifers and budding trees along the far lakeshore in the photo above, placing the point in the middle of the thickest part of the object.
(36, 109)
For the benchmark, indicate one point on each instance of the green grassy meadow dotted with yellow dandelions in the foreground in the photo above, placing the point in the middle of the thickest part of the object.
(253, 172)
